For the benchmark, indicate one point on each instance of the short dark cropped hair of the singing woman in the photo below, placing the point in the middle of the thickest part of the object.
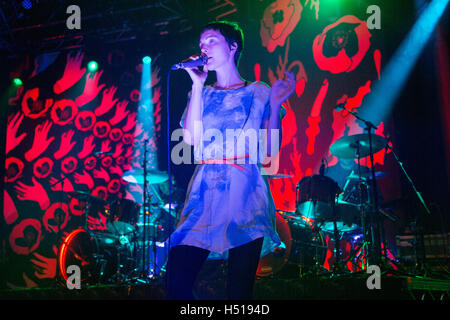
(231, 32)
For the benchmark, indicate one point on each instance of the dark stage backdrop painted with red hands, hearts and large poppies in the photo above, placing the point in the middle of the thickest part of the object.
(64, 115)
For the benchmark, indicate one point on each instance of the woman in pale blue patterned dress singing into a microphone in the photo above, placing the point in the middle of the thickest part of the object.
(229, 210)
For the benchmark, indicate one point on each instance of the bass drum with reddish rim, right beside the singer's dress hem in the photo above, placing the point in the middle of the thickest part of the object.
(304, 250)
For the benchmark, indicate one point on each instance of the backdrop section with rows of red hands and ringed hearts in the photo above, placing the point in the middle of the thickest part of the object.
(57, 137)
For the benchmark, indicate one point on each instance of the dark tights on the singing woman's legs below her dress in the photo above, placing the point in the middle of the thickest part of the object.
(185, 263)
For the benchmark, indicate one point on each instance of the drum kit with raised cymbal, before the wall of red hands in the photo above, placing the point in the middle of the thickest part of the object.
(129, 246)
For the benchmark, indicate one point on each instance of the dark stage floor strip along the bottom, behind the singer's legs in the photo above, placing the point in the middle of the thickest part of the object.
(344, 287)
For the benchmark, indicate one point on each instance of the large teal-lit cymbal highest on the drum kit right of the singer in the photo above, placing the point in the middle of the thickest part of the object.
(346, 147)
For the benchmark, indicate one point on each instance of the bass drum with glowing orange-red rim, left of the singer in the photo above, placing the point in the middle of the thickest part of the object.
(101, 257)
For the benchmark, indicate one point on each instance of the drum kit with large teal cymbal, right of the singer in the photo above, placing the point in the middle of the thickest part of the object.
(324, 210)
